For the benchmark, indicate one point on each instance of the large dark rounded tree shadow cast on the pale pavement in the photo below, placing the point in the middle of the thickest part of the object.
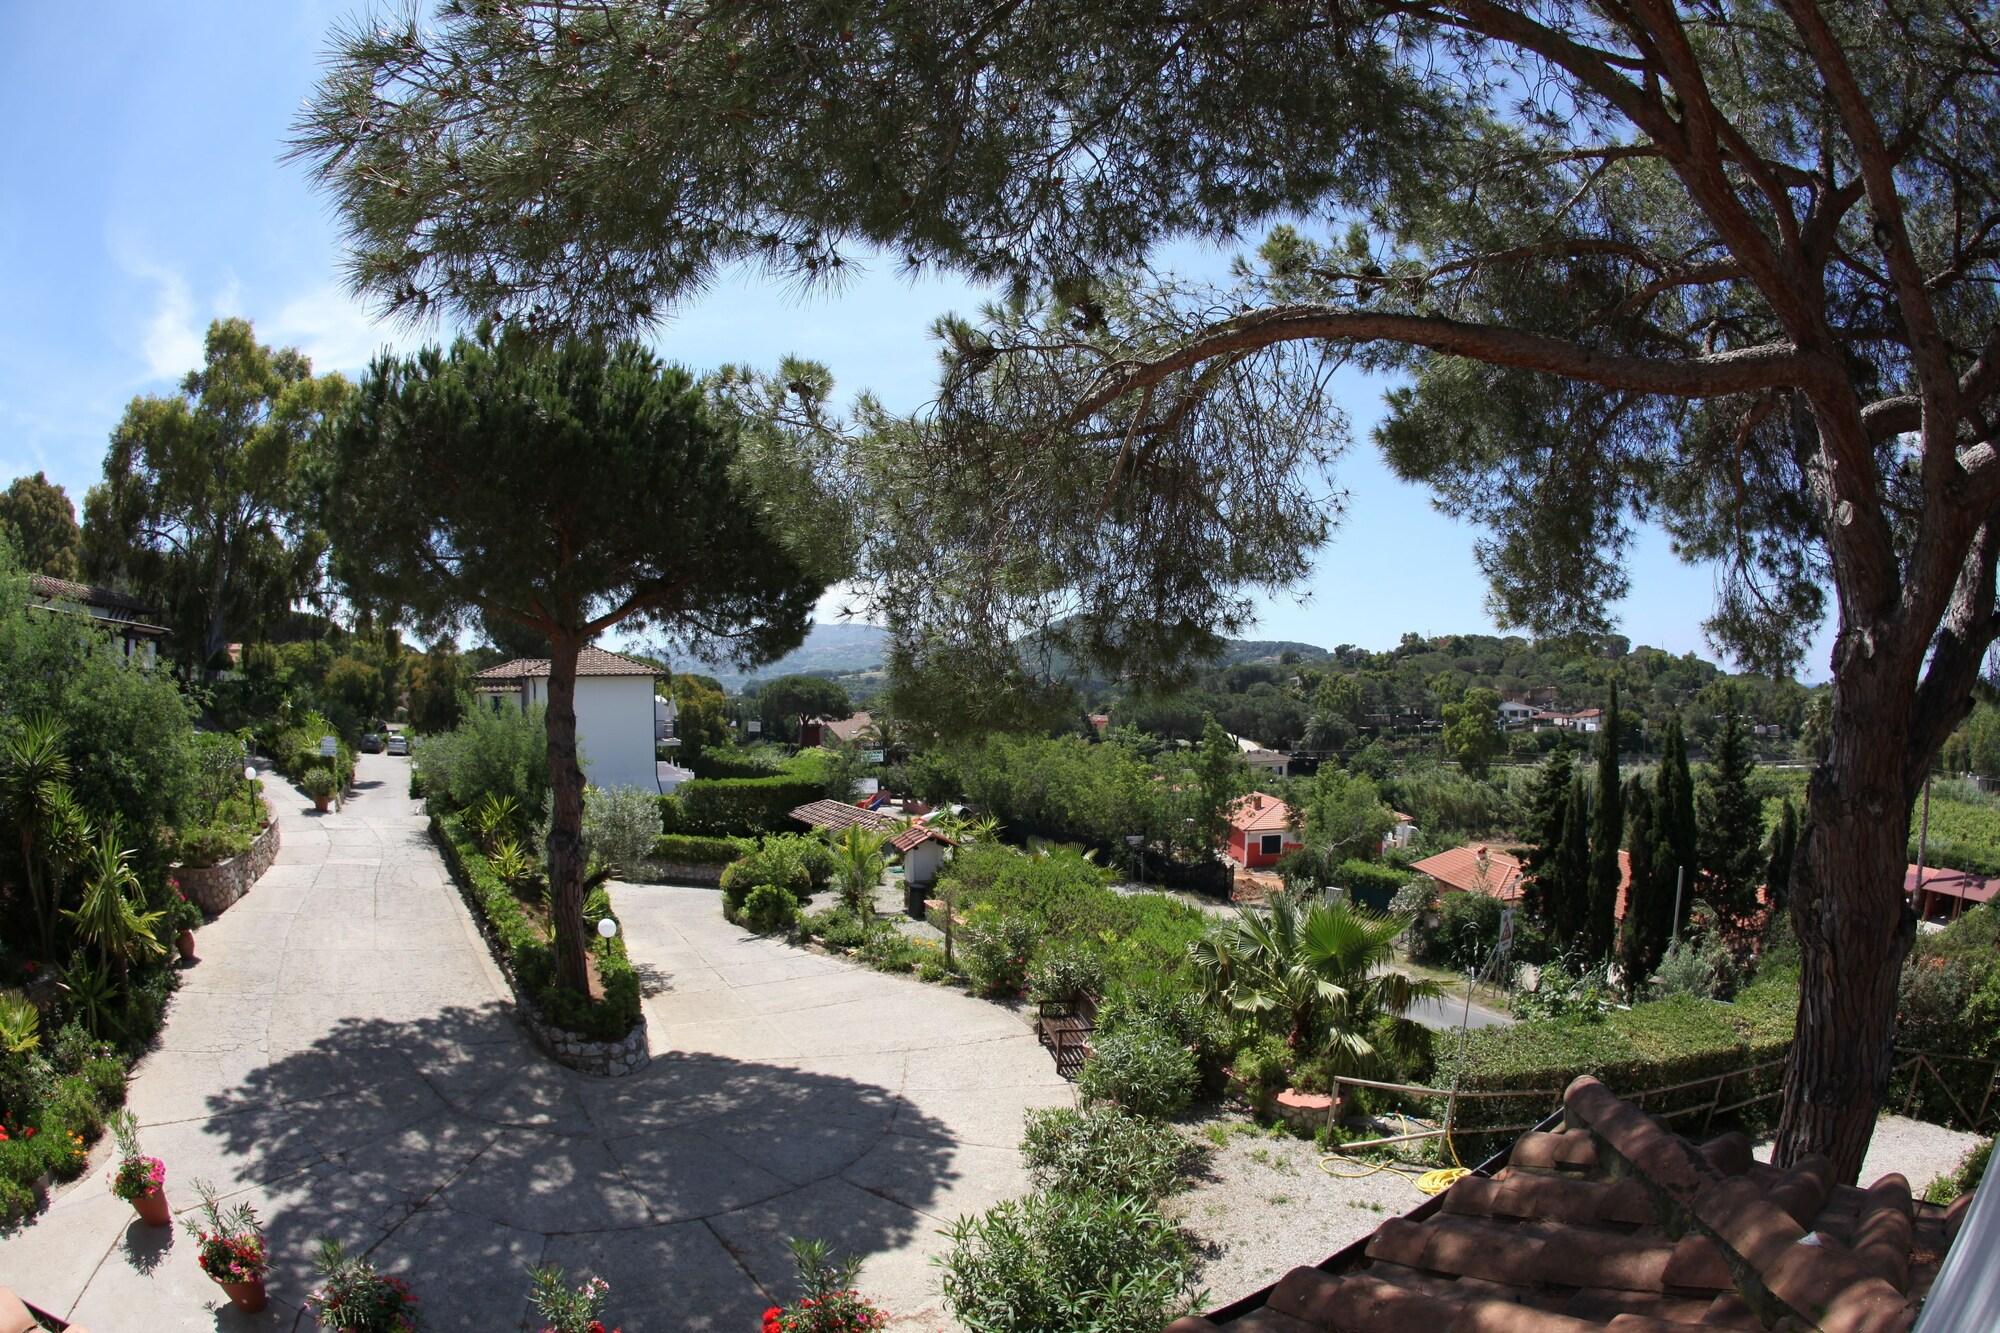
(457, 1156)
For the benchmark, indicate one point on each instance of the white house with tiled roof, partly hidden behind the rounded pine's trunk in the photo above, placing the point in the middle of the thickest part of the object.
(615, 712)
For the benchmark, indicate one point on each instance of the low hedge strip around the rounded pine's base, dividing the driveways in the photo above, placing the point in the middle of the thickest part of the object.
(529, 956)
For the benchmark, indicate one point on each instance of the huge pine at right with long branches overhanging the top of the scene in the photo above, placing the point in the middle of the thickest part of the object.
(1705, 265)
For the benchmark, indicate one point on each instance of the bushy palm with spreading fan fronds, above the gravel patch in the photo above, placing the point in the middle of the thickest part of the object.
(1317, 976)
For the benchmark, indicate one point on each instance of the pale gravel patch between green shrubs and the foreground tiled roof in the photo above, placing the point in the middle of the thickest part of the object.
(1267, 1208)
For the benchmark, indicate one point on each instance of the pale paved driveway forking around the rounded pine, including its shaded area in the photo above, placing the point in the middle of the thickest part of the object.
(345, 1058)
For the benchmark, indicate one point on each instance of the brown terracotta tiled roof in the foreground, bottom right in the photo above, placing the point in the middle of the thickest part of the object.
(1619, 1224)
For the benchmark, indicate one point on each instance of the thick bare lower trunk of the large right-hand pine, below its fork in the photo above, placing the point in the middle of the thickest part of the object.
(1853, 928)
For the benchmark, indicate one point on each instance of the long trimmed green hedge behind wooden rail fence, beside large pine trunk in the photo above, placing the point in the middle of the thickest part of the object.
(1633, 1052)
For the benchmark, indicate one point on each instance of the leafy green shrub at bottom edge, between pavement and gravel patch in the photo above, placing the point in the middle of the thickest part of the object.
(1075, 1262)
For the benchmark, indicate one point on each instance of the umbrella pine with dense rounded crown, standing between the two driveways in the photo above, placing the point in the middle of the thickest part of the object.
(599, 491)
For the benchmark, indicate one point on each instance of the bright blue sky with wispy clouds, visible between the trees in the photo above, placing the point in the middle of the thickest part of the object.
(143, 197)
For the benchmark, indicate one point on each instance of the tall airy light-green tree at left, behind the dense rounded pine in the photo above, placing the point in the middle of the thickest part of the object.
(205, 493)
